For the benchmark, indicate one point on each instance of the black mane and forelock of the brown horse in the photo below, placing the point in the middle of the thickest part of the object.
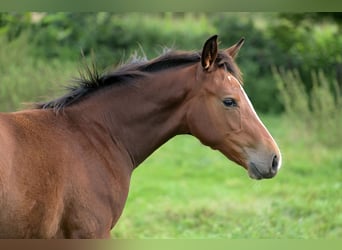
(91, 80)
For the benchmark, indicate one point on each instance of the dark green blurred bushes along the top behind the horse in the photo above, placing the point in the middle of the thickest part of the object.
(301, 41)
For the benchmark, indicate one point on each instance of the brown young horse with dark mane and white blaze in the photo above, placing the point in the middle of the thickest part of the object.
(65, 166)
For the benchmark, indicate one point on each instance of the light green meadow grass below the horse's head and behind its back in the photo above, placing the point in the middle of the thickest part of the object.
(186, 190)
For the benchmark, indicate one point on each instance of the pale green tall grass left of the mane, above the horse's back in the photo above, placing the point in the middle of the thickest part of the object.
(27, 79)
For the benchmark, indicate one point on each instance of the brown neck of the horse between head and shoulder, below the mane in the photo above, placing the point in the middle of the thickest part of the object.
(144, 115)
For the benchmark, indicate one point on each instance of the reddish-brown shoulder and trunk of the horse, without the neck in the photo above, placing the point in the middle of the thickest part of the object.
(55, 184)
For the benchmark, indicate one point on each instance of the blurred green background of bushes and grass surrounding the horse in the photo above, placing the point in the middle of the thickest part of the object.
(292, 69)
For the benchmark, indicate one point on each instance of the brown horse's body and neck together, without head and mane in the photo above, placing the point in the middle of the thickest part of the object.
(72, 176)
